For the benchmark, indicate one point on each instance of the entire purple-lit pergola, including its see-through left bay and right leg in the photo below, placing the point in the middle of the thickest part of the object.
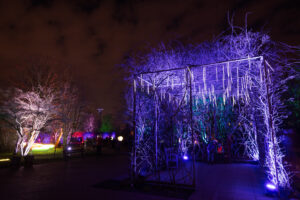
(164, 104)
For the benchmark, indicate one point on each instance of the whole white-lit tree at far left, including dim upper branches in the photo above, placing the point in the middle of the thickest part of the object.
(31, 103)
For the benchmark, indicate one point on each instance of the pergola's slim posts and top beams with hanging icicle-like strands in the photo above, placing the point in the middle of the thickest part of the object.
(240, 88)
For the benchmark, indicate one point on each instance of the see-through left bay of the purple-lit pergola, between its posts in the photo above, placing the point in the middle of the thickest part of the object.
(163, 126)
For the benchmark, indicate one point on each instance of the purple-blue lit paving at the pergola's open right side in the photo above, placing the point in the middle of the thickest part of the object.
(236, 181)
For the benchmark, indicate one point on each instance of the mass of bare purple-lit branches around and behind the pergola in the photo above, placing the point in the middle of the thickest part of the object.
(191, 92)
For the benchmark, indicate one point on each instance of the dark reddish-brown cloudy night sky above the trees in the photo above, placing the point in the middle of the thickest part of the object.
(93, 36)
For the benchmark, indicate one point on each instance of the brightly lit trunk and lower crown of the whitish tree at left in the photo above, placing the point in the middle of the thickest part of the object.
(28, 112)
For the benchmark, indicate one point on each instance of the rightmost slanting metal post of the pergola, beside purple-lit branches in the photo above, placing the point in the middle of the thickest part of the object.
(271, 122)
